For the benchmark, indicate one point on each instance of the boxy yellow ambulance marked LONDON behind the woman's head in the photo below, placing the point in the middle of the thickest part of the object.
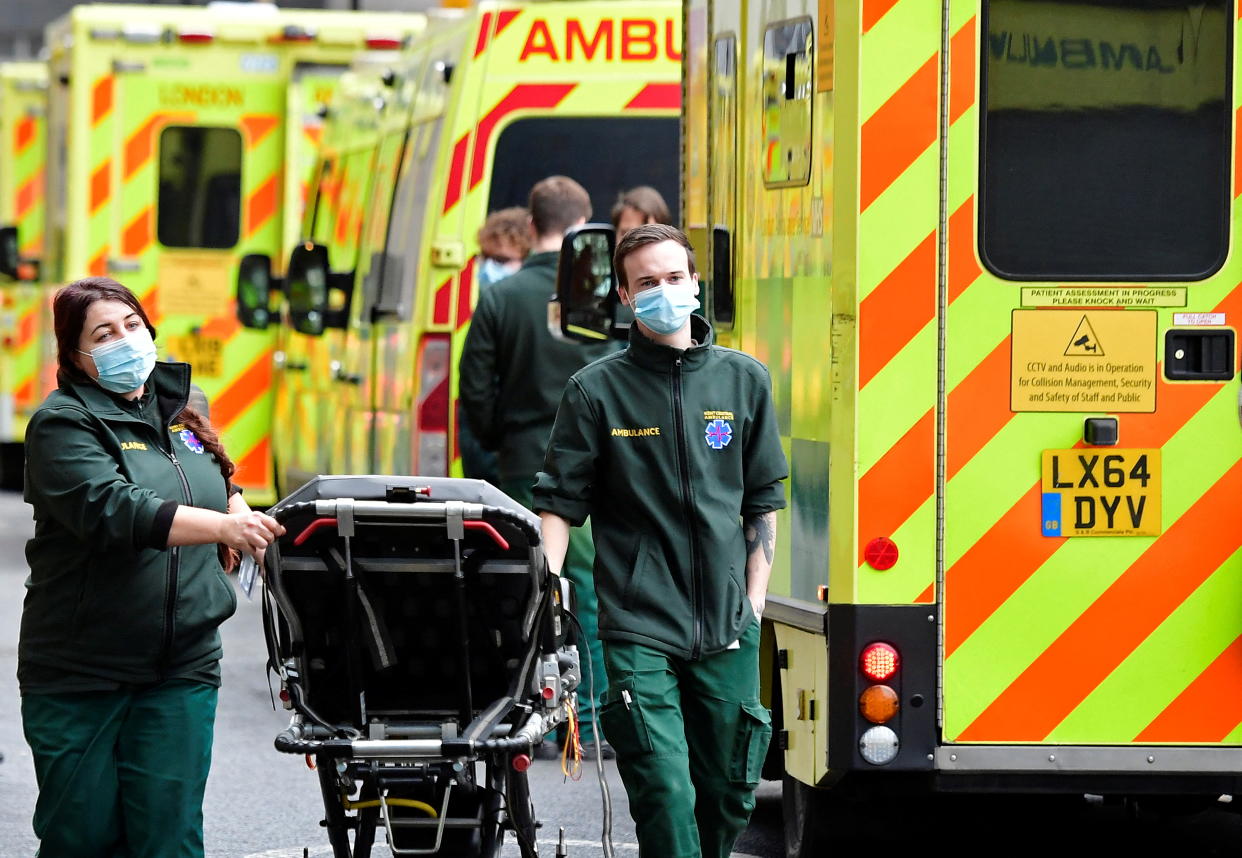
(182, 140)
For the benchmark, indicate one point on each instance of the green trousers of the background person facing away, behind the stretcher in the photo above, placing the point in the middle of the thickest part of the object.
(579, 569)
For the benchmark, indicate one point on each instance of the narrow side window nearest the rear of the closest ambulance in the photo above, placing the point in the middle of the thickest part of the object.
(788, 85)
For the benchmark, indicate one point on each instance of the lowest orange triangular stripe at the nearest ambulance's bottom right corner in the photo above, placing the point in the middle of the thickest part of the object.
(1208, 710)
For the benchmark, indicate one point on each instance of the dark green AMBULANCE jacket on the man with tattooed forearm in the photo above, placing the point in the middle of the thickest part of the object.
(668, 453)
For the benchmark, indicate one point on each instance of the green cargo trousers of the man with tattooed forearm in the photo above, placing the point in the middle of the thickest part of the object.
(691, 739)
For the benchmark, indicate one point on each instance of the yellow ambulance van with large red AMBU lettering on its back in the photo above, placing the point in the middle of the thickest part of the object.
(490, 101)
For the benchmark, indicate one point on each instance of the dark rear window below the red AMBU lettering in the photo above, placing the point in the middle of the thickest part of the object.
(607, 156)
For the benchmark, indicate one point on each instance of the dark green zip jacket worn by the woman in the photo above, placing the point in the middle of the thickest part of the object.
(107, 602)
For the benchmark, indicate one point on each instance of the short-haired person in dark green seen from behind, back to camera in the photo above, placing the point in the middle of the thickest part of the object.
(512, 376)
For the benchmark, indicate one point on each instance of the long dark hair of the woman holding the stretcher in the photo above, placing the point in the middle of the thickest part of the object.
(69, 316)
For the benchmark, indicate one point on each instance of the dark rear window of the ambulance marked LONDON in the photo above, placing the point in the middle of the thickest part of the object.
(199, 187)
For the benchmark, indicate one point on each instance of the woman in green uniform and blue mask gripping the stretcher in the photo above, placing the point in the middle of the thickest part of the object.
(136, 521)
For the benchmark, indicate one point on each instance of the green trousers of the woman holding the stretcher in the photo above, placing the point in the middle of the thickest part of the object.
(121, 774)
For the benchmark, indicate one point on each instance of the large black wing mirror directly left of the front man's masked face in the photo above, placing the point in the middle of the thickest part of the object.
(586, 306)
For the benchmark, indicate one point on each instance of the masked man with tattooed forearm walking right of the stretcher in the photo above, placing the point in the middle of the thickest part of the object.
(671, 448)
